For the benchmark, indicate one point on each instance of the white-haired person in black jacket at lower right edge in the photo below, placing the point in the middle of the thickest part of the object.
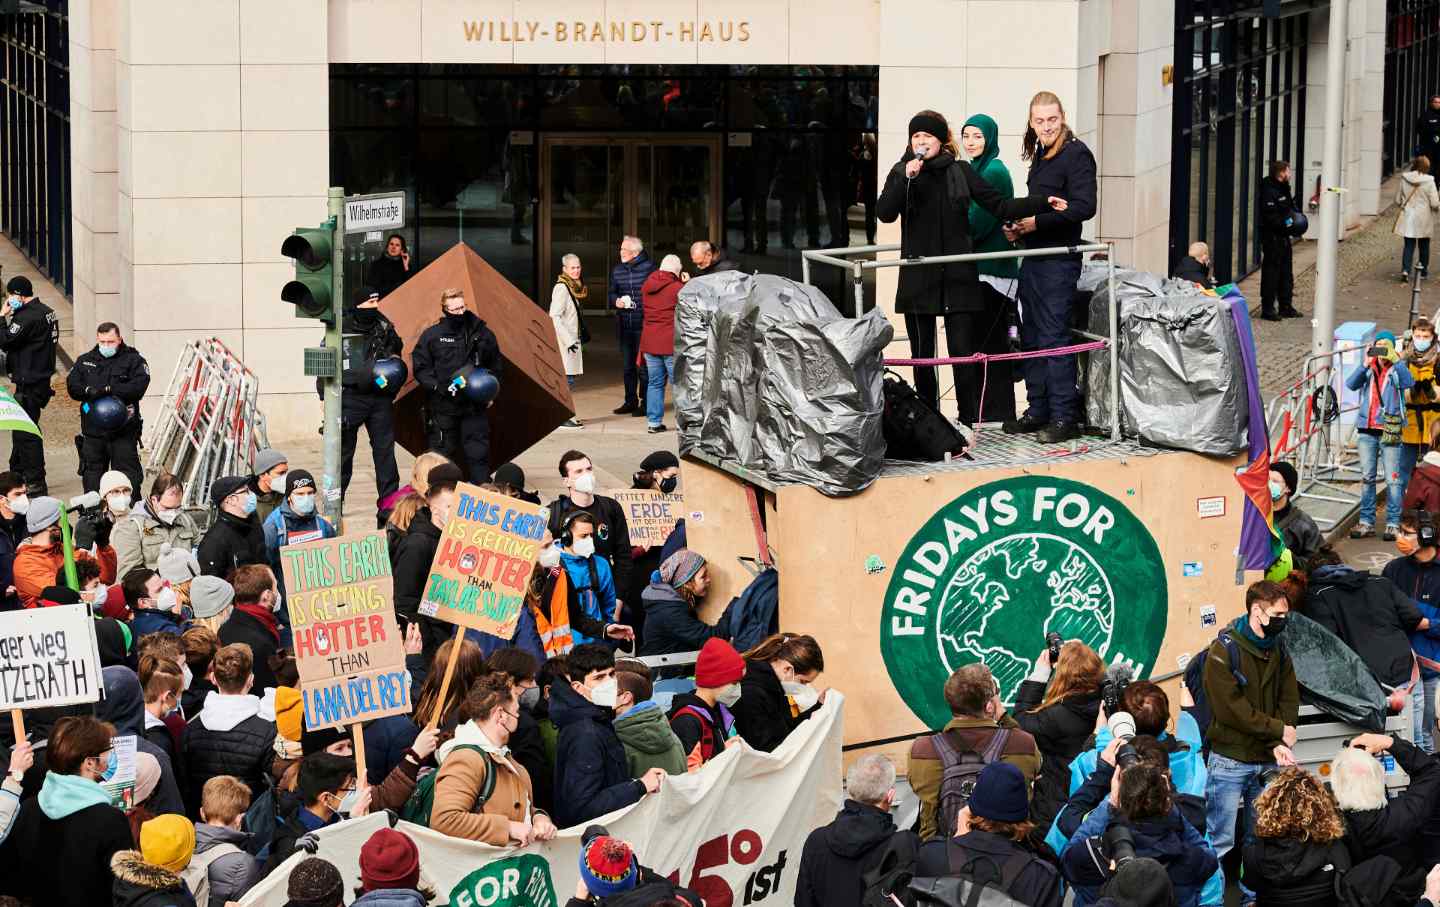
(1376, 824)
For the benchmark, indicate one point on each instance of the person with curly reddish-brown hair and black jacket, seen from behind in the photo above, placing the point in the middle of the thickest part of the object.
(1298, 850)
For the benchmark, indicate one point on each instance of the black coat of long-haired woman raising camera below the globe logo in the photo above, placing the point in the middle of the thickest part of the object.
(1061, 732)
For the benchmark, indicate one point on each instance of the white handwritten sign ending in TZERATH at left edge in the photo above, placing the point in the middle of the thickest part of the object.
(48, 657)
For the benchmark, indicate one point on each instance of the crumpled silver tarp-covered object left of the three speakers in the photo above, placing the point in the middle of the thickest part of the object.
(771, 376)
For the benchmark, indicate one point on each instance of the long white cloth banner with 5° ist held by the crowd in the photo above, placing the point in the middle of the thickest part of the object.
(732, 833)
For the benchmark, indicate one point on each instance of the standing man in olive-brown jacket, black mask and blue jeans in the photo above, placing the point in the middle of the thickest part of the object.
(1252, 726)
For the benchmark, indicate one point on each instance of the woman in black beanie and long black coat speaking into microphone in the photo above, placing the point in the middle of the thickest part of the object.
(931, 191)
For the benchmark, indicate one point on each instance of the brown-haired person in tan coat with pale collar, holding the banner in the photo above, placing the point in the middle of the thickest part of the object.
(508, 816)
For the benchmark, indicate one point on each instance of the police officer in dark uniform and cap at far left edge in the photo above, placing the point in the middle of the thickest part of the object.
(30, 345)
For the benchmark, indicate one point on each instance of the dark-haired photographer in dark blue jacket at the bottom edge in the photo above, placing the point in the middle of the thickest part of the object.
(1138, 820)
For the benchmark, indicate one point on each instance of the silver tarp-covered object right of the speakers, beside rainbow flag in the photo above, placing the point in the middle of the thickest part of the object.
(1183, 382)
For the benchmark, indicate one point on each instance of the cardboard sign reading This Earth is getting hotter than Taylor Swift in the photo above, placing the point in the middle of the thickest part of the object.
(485, 561)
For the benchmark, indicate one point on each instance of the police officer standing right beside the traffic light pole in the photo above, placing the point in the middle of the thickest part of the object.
(366, 400)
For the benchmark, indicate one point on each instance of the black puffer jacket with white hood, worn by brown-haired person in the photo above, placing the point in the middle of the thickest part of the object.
(228, 738)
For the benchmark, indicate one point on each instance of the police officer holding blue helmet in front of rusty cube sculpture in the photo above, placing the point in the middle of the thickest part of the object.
(459, 428)
